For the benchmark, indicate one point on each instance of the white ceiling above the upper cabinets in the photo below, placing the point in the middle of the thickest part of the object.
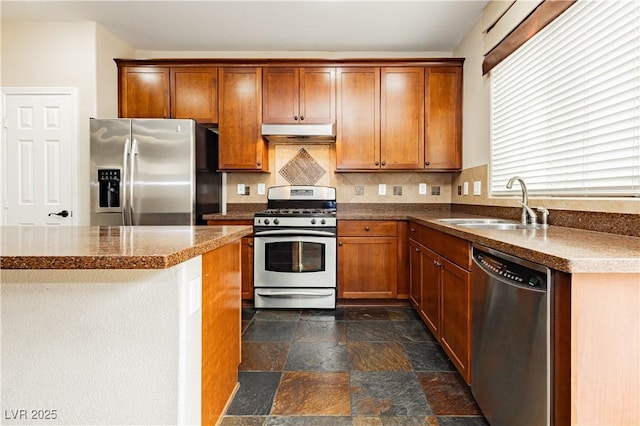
(267, 25)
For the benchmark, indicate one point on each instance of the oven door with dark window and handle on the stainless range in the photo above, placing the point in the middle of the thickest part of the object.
(294, 259)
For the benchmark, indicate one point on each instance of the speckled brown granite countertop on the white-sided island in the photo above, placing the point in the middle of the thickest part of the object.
(110, 247)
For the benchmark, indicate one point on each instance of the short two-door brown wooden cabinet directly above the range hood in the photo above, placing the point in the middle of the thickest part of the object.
(299, 95)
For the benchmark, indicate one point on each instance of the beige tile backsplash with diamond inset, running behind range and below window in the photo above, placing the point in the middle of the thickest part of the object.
(365, 187)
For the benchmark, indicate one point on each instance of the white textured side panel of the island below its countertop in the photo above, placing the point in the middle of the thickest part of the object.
(102, 346)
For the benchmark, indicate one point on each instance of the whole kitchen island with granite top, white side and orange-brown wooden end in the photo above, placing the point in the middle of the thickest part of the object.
(119, 325)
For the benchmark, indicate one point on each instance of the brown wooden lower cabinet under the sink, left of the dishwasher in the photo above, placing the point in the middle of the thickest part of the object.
(440, 290)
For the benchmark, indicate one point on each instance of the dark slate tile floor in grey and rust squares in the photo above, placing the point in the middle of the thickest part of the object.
(350, 366)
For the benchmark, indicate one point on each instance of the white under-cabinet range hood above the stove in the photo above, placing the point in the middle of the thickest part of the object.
(299, 133)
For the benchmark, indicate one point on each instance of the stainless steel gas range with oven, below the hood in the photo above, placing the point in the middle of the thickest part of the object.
(295, 248)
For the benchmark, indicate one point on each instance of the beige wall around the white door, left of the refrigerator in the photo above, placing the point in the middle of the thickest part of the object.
(66, 54)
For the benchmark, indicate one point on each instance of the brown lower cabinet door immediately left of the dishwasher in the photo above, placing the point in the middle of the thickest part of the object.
(455, 333)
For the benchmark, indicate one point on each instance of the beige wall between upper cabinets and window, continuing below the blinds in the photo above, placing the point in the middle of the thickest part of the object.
(477, 142)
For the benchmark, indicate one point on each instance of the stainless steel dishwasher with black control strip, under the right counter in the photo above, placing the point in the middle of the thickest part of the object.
(510, 376)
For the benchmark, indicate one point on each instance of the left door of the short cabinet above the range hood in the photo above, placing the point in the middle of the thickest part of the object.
(281, 95)
